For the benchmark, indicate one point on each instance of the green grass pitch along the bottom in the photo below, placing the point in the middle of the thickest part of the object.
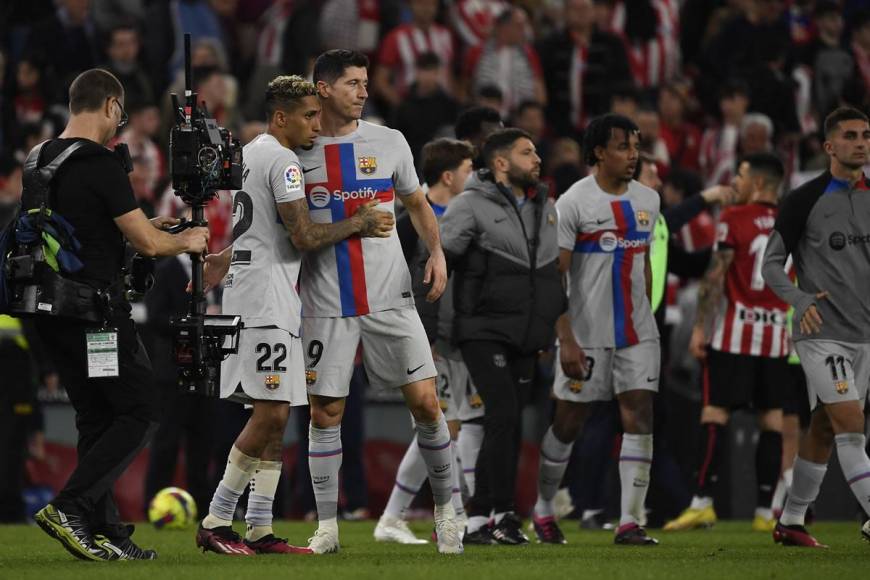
(730, 551)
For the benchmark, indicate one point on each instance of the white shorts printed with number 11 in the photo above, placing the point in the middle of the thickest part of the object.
(836, 371)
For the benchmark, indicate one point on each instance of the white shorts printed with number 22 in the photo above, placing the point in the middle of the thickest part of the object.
(268, 367)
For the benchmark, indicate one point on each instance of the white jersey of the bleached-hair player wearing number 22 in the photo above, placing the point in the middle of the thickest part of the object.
(264, 272)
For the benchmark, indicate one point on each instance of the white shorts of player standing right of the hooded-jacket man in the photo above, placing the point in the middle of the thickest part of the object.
(612, 371)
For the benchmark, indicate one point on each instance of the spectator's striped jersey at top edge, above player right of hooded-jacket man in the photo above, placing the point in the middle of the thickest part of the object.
(657, 60)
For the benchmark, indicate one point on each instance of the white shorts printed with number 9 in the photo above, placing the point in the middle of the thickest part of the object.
(396, 351)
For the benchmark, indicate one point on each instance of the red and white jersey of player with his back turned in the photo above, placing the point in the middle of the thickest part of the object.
(752, 320)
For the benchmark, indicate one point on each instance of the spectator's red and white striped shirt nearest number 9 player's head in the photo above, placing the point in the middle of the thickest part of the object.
(402, 46)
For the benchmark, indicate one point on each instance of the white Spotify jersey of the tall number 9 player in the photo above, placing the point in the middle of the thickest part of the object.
(358, 275)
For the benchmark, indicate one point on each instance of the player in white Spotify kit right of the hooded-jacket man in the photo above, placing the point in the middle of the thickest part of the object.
(608, 339)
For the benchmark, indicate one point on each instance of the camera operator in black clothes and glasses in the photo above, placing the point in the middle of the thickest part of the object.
(115, 415)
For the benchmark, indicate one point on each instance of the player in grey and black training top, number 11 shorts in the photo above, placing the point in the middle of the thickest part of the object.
(825, 227)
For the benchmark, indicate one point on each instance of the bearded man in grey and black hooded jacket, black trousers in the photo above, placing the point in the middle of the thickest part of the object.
(500, 235)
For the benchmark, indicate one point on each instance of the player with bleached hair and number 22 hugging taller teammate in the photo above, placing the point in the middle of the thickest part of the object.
(268, 372)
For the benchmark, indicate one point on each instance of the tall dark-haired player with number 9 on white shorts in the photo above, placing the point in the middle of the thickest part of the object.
(359, 290)
